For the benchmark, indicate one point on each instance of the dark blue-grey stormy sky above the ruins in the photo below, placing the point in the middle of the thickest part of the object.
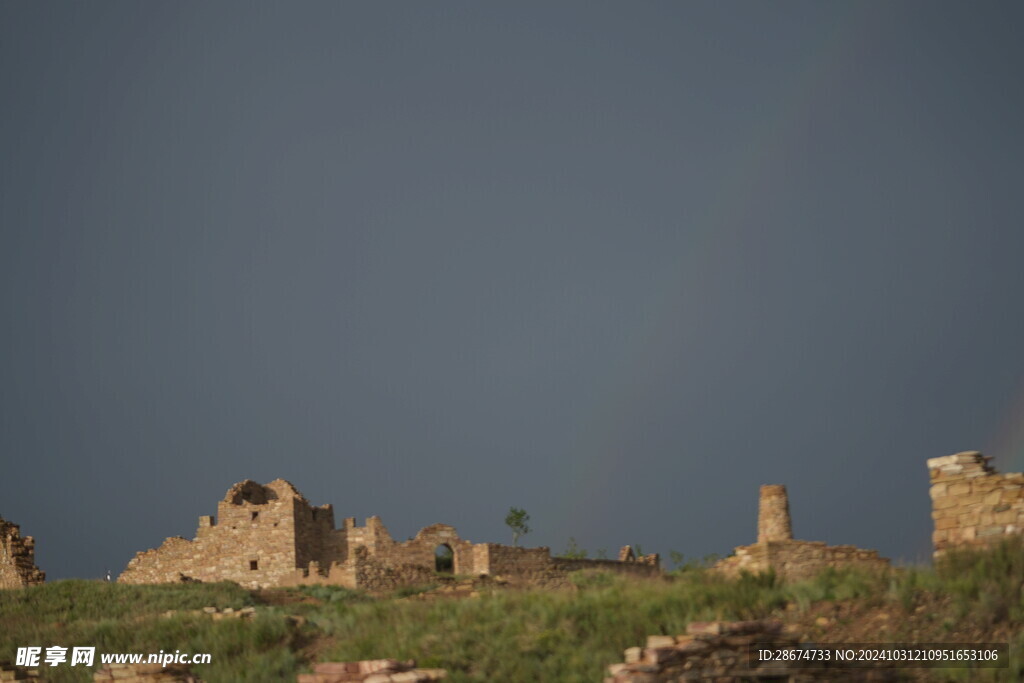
(616, 264)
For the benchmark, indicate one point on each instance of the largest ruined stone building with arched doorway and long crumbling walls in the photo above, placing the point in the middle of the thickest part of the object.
(270, 535)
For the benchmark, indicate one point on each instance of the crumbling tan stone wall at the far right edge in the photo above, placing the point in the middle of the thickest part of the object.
(972, 504)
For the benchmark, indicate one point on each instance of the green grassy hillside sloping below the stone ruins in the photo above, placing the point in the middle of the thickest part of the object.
(518, 635)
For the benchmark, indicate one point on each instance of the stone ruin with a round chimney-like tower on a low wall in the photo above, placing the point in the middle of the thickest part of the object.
(790, 560)
